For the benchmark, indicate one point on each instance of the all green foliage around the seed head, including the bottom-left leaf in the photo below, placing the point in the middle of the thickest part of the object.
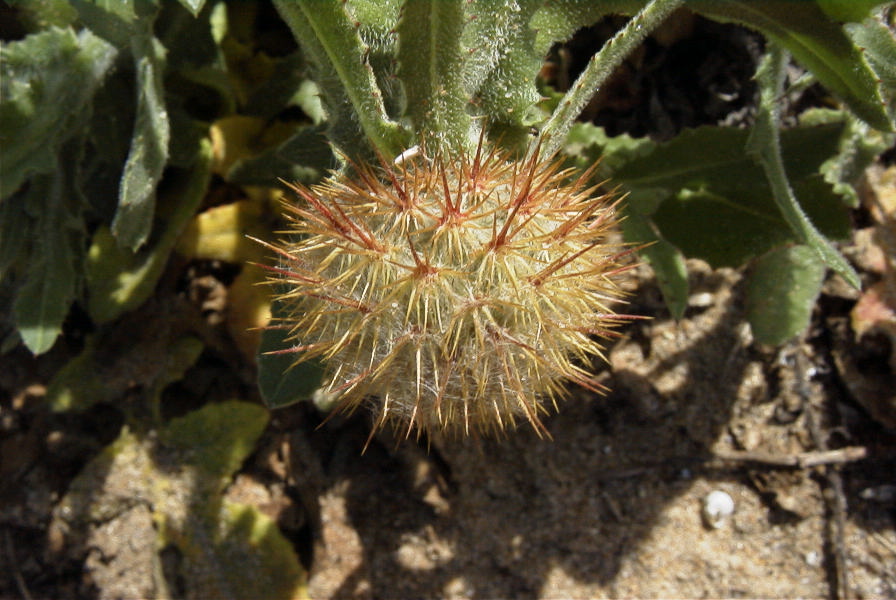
(116, 115)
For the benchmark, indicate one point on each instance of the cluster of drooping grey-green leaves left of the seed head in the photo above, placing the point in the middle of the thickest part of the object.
(103, 109)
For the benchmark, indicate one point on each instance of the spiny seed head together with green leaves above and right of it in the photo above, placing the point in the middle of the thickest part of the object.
(467, 71)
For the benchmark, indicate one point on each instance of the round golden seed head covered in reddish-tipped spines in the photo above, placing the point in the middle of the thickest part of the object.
(453, 293)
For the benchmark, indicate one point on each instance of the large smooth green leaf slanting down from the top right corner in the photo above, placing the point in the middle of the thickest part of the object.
(817, 42)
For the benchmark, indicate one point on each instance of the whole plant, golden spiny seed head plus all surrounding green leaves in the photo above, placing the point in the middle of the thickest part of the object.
(127, 129)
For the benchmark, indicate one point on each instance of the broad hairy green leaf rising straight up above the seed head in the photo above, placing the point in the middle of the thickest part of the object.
(430, 64)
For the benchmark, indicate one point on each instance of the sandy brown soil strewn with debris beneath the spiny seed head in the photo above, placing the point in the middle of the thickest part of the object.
(611, 506)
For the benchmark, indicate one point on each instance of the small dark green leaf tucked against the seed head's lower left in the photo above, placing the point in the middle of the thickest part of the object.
(281, 381)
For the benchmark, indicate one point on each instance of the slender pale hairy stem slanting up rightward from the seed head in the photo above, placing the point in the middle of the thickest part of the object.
(599, 69)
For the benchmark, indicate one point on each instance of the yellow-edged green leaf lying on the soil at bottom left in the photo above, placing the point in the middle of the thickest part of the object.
(230, 550)
